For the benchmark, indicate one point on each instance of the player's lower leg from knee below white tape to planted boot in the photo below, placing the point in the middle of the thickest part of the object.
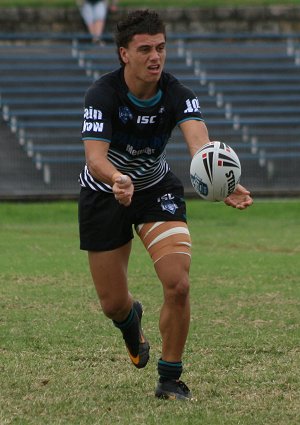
(173, 271)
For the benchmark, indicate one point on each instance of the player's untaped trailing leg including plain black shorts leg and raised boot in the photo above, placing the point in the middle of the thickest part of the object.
(106, 233)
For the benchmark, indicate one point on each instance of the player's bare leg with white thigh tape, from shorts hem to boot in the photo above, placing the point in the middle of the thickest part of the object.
(169, 245)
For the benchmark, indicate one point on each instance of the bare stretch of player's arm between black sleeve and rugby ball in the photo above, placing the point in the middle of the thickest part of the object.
(195, 134)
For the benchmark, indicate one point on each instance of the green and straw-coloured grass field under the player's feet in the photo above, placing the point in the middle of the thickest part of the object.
(62, 362)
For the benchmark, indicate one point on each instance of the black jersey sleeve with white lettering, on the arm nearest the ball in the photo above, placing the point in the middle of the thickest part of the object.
(186, 104)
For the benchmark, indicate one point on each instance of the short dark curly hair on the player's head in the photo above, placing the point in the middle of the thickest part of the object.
(138, 22)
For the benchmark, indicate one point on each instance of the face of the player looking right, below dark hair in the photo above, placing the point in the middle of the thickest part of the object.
(144, 57)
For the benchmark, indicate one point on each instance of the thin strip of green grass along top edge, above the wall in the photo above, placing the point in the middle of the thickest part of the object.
(153, 3)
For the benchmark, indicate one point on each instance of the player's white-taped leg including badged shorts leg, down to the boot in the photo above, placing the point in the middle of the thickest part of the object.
(166, 237)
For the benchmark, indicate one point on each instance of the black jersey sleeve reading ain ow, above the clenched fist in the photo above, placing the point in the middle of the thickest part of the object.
(97, 116)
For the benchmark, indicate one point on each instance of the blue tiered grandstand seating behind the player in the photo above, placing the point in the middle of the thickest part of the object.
(248, 87)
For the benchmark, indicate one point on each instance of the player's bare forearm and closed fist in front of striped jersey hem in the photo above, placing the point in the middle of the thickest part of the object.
(103, 170)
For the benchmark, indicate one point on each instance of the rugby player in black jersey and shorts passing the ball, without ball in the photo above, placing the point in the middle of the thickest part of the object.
(128, 119)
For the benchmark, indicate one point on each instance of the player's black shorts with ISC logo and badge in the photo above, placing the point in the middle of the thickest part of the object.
(105, 225)
